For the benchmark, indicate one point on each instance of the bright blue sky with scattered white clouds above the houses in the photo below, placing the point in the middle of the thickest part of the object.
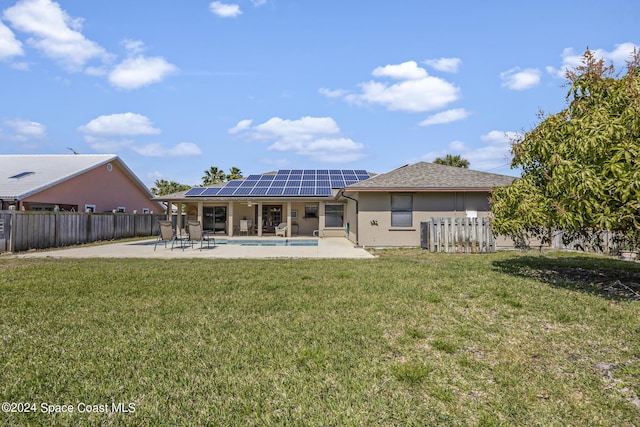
(176, 87)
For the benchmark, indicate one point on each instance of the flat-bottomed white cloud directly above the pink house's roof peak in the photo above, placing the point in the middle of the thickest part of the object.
(128, 124)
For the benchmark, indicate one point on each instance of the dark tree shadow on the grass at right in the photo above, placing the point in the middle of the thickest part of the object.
(605, 277)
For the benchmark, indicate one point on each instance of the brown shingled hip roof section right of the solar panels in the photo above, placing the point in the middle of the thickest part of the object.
(425, 176)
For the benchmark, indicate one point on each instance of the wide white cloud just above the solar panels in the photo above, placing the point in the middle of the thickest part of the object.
(315, 137)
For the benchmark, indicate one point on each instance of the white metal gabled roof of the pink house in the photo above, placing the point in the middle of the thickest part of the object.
(24, 175)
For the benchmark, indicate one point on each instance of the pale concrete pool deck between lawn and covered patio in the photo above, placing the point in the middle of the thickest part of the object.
(331, 247)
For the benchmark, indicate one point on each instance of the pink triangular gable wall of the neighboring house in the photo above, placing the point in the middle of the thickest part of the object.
(105, 189)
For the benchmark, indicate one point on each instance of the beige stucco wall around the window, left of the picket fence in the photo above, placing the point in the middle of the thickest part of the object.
(374, 219)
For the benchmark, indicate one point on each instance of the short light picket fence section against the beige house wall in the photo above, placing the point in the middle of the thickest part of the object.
(466, 235)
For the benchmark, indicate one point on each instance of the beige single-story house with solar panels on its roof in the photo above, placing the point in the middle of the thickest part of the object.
(371, 210)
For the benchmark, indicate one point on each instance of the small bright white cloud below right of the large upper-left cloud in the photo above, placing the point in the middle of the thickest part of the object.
(133, 73)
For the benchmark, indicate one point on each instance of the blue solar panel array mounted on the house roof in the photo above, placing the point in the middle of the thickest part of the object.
(286, 182)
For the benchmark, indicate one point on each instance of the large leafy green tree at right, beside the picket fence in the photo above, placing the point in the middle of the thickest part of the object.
(581, 166)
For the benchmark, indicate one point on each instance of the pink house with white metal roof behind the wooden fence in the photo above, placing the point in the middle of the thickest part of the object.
(72, 182)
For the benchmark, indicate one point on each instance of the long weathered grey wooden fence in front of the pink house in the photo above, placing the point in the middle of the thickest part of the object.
(21, 231)
